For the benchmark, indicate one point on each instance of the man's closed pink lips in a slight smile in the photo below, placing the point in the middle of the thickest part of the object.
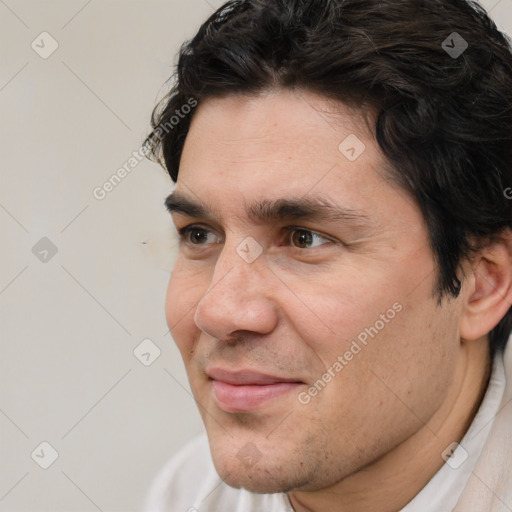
(245, 391)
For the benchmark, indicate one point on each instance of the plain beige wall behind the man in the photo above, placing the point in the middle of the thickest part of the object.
(69, 324)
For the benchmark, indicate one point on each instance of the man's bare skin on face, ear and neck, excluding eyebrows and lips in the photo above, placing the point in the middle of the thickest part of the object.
(374, 435)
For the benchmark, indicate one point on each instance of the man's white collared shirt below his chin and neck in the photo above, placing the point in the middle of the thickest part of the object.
(189, 482)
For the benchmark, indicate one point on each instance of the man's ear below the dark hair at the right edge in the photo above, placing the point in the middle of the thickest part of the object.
(488, 294)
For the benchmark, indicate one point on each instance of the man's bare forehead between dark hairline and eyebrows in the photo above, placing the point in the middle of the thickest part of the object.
(283, 144)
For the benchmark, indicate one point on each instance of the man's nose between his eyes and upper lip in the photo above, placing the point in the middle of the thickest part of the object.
(239, 298)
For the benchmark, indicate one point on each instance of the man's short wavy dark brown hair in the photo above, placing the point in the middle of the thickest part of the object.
(444, 110)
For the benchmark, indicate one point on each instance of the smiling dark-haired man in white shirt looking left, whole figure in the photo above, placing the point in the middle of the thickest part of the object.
(341, 293)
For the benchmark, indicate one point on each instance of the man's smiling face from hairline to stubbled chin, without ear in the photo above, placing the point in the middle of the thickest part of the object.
(313, 345)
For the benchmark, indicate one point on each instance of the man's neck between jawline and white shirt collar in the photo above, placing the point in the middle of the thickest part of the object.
(389, 483)
